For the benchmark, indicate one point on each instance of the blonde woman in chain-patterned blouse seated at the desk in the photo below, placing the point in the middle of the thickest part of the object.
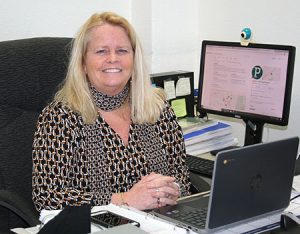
(108, 136)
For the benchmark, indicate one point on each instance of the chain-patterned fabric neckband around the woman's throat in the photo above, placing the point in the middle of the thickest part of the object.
(109, 103)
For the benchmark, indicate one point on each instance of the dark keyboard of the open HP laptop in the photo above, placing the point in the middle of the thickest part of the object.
(196, 217)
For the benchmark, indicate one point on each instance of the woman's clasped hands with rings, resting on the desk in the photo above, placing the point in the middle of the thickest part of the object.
(152, 191)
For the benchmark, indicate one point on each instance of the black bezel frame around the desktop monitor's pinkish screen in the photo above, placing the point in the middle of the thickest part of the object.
(245, 115)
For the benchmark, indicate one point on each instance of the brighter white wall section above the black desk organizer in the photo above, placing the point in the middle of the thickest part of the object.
(175, 35)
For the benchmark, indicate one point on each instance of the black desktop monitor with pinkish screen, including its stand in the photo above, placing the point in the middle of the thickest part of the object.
(252, 83)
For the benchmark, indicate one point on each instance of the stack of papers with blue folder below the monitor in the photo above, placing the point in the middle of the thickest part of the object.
(202, 136)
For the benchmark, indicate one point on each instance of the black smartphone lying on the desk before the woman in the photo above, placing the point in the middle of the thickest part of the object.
(109, 219)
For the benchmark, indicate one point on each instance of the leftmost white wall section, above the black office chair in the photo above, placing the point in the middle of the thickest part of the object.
(33, 18)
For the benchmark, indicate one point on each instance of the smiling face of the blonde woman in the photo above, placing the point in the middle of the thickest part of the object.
(108, 62)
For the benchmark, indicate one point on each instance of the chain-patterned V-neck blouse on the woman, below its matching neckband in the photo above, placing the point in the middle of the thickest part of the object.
(76, 163)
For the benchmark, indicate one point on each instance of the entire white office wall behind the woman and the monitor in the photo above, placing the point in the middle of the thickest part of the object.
(171, 31)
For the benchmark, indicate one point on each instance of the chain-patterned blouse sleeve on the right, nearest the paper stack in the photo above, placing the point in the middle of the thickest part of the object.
(176, 151)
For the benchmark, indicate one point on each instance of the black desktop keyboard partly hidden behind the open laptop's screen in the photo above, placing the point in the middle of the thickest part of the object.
(200, 165)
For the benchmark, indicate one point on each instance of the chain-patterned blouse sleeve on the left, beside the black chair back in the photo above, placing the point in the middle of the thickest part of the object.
(59, 176)
